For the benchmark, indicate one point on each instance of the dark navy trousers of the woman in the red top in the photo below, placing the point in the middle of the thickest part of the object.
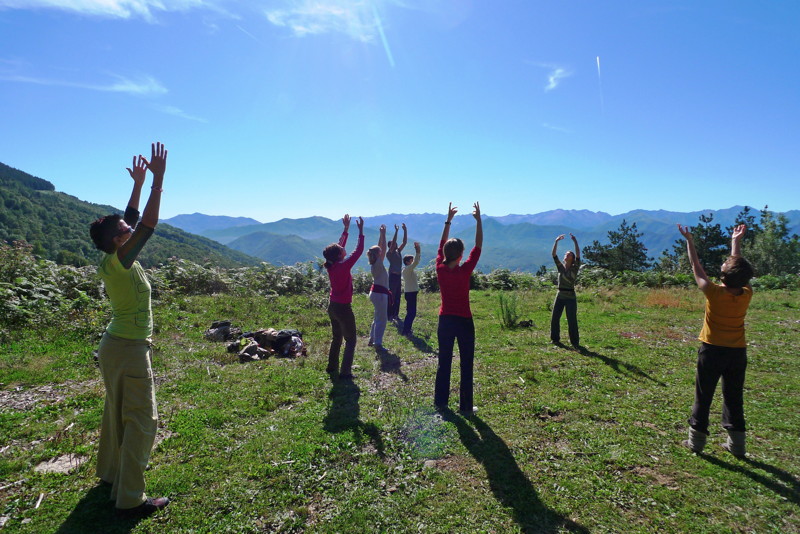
(452, 328)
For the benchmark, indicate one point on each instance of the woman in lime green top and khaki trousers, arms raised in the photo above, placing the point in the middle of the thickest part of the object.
(130, 417)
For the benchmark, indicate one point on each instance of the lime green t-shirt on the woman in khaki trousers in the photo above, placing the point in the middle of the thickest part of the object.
(129, 292)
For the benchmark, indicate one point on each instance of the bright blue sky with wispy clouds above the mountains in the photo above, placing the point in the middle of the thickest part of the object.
(273, 109)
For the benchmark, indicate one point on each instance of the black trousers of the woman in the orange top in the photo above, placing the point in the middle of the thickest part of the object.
(715, 362)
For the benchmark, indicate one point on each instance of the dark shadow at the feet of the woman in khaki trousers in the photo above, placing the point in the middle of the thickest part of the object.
(95, 513)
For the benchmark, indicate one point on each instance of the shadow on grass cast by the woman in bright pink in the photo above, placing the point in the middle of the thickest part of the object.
(343, 415)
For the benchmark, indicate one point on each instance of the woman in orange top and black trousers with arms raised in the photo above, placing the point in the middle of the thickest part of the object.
(723, 352)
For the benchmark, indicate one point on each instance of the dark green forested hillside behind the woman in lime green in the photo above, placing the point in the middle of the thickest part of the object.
(57, 225)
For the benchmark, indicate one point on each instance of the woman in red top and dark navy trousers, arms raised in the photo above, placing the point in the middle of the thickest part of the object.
(455, 316)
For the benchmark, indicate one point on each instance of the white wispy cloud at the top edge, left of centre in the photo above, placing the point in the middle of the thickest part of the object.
(354, 18)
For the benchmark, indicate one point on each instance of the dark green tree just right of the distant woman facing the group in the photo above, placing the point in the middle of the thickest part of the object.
(624, 251)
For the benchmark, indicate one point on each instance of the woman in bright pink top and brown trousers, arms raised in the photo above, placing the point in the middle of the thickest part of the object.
(340, 310)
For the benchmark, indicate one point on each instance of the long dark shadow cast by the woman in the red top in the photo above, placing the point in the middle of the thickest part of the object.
(509, 484)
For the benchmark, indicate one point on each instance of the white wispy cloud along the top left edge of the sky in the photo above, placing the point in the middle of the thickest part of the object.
(108, 8)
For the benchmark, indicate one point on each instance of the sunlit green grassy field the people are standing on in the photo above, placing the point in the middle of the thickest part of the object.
(563, 440)
